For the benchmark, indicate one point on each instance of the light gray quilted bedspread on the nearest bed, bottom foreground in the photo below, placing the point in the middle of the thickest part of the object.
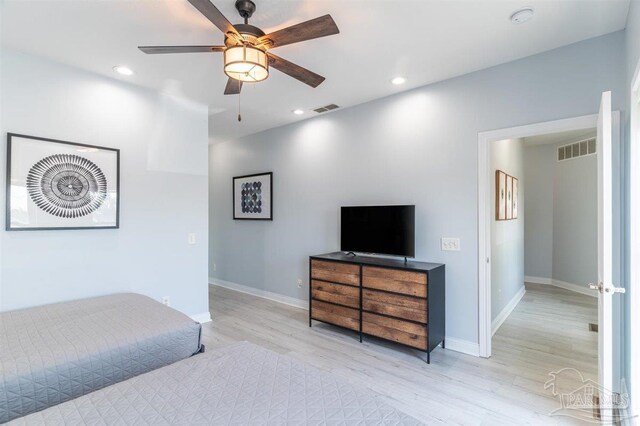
(243, 384)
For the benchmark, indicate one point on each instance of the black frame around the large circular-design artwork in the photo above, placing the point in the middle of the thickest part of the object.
(8, 226)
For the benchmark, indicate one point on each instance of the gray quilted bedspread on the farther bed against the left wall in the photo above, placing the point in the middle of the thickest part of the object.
(54, 353)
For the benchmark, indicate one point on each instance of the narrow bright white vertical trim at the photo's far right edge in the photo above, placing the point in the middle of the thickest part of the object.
(634, 243)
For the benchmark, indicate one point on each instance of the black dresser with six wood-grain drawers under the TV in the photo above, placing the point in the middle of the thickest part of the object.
(395, 300)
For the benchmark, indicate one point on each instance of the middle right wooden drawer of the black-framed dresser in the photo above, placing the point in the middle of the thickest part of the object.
(404, 307)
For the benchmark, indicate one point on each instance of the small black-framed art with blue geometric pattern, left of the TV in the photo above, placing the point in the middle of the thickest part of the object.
(252, 197)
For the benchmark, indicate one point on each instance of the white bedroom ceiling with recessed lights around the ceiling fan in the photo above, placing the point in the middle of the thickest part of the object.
(423, 40)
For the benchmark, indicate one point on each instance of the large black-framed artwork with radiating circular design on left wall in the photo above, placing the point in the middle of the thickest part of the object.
(54, 184)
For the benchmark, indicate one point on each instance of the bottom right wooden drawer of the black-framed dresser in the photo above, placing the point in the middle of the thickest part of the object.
(407, 333)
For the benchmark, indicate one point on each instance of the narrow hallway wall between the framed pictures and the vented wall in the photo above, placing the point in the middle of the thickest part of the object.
(539, 168)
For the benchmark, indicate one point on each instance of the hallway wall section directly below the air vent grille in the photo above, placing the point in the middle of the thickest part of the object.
(575, 221)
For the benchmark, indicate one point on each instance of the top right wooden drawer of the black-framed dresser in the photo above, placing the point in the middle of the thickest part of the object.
(395, 280)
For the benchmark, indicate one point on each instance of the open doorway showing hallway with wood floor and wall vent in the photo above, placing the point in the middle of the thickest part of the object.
(544, 249)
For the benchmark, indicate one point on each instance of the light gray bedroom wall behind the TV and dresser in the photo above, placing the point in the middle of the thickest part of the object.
(417, 147)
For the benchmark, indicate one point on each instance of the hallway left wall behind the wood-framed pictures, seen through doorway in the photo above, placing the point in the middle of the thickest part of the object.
(507, 237)
